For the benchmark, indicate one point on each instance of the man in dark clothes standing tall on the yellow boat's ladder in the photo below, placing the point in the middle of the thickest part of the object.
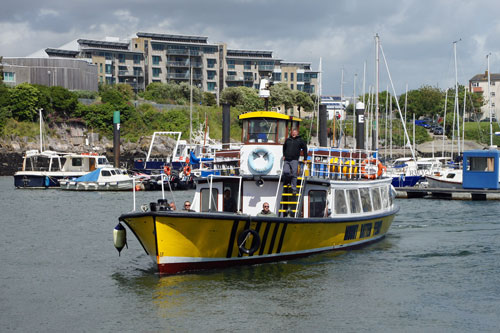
(291, 153)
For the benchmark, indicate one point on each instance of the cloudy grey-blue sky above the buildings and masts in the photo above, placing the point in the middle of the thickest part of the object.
(416, 36)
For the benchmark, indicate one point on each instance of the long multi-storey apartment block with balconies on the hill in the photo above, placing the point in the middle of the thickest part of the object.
(154, 57)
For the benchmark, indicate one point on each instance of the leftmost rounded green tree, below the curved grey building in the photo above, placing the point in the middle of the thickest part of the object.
(24, 102)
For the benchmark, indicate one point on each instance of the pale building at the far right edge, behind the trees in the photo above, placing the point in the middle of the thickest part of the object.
(479, 84)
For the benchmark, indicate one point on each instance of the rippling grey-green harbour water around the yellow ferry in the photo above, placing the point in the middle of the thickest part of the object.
(437, 271)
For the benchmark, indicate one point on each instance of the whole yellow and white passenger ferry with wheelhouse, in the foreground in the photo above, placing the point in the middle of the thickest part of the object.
(343, 201)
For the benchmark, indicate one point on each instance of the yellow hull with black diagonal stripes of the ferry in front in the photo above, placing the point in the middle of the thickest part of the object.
(179, 242)
